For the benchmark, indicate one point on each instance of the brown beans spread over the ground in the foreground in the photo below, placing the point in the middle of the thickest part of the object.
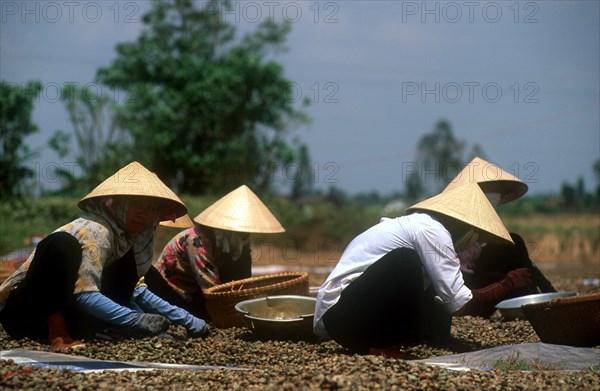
(288, 365)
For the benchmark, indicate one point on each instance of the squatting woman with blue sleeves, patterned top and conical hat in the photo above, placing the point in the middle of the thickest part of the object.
(83, 276)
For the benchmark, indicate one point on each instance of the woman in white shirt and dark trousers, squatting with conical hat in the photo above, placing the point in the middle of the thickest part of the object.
(400, 282)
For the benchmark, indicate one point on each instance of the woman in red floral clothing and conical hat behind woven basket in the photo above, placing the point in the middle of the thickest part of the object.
(214, 251)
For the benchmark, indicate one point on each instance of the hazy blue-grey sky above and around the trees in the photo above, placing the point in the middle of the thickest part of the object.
(519, 78)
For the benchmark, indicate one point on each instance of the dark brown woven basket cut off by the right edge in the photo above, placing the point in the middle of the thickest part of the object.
(573, 321)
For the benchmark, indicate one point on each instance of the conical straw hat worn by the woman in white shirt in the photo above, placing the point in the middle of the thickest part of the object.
(468, 204)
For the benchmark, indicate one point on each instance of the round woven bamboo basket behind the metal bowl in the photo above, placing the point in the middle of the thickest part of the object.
(221, 299)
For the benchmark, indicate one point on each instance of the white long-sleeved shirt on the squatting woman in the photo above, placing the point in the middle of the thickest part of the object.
(418, 232)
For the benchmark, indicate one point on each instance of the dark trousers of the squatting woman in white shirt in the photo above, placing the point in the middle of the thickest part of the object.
(387, 305)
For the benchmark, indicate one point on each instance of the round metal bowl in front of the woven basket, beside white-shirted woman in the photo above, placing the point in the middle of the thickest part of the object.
(279, 317)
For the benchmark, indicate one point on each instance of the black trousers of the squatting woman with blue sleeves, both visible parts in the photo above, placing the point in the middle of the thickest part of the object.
(48, 288)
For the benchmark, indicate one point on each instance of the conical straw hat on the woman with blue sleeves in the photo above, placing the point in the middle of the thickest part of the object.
(136, 180)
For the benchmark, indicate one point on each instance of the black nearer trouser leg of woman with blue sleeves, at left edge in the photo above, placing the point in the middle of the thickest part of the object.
(46, 289)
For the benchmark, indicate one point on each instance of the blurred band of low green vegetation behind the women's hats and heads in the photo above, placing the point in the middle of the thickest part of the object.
(328, 220)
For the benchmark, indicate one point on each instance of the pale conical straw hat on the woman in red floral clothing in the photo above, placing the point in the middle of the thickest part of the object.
(241, 211)
